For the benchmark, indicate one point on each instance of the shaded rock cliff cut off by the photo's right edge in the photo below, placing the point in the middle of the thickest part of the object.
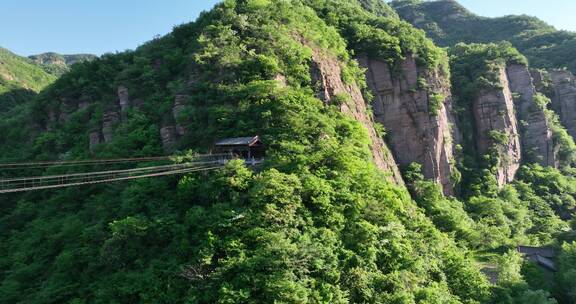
(564, 98)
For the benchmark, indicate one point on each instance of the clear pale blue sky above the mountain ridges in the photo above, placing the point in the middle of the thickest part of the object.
(100, 26)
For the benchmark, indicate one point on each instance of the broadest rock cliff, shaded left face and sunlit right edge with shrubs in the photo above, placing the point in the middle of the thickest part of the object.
(415, 108)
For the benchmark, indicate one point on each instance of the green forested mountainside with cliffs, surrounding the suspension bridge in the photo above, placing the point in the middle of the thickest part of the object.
(324, 219)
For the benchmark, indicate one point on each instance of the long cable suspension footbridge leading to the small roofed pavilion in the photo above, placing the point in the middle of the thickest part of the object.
(199, 163)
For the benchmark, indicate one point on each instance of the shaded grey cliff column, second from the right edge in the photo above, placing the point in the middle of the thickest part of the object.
(536, 134)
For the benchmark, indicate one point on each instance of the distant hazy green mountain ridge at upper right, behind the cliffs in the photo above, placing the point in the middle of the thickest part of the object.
(447, 23)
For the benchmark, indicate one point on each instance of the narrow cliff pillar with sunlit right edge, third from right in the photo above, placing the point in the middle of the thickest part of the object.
(496, 128)
